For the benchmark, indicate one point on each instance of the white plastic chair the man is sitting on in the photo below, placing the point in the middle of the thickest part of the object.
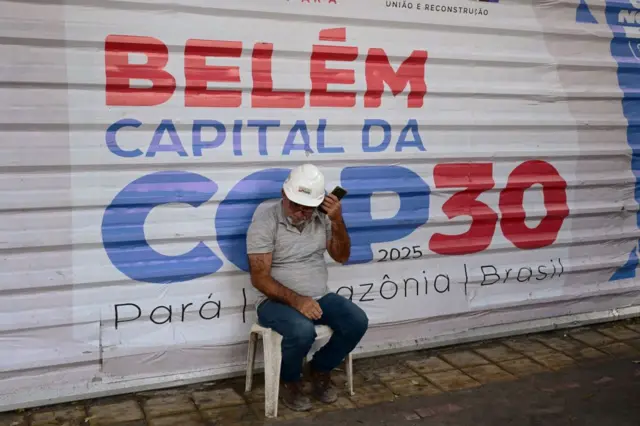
(272, 342)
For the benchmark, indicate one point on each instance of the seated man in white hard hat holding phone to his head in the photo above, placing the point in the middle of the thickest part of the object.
(286, 245)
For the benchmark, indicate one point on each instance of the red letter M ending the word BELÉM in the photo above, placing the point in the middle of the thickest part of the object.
(379, 71)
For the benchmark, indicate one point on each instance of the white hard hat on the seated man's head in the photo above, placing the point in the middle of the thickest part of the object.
(305, 186)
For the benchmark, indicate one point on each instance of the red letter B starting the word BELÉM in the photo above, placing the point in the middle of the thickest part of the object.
(119, 71)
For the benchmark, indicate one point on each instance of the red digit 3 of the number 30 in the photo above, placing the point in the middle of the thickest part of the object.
(476, 179)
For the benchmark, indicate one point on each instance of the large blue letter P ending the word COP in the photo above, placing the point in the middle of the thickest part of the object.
(362, 183)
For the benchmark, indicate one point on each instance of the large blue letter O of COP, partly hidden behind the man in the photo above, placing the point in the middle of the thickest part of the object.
(236, 212)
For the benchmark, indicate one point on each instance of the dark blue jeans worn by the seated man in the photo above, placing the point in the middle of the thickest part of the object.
(345, 318)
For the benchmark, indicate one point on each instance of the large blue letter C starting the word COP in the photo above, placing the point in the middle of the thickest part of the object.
(123, 228)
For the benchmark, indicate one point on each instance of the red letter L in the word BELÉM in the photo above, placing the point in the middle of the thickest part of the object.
(263, 95)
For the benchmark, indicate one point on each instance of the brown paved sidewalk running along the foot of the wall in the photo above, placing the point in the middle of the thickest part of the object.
(580, 377)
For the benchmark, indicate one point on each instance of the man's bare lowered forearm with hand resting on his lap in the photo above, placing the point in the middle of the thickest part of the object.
(260, 270)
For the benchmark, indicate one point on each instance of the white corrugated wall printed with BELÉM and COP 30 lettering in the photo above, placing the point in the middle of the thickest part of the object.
(507, 83)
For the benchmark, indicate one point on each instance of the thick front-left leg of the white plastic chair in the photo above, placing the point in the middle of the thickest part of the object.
(272, 364)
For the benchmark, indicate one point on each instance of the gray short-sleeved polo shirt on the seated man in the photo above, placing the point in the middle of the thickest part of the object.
(298, 257)
